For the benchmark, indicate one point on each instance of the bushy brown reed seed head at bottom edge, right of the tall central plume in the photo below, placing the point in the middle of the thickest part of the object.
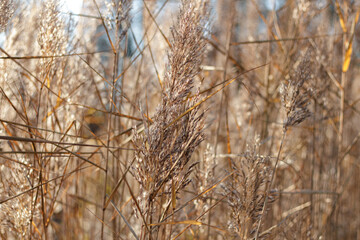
(246, 191)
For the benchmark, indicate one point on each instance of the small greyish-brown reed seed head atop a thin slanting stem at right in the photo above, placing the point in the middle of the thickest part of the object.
(295, 96)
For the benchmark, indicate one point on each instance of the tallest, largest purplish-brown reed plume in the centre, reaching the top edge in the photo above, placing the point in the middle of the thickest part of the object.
(166, 147)
